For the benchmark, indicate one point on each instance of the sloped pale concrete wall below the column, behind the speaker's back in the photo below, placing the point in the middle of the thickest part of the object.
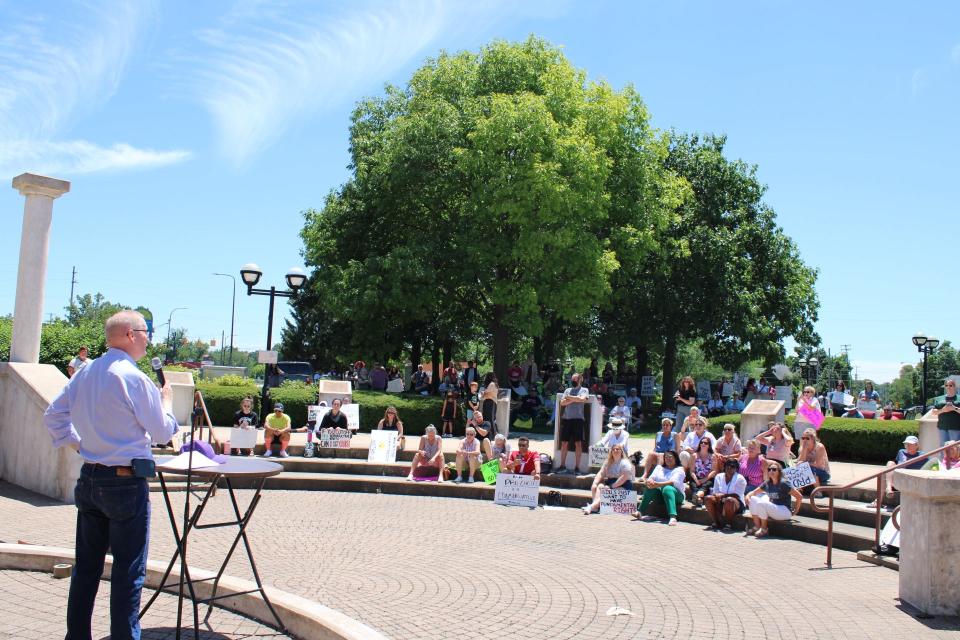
(27, 456)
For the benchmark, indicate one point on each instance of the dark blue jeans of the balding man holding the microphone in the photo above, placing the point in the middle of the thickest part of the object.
(112, 512)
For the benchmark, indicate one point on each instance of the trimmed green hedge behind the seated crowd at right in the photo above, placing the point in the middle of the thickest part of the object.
(850, 439)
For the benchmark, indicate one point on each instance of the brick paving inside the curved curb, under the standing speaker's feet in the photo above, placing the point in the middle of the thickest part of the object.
(32, 606)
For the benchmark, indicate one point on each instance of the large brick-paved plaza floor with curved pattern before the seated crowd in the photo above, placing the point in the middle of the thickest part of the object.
(419, 567)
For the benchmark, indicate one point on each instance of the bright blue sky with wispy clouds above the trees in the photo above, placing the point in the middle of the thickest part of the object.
(194, 134)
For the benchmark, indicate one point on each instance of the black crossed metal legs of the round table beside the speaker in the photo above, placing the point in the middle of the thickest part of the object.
(241, 522)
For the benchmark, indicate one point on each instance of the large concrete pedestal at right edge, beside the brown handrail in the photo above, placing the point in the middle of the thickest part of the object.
(930, 540)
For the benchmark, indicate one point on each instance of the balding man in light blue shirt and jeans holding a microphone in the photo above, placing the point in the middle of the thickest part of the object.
(110, 412)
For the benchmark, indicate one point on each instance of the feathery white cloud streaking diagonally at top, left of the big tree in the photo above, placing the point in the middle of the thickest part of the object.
(270, 67)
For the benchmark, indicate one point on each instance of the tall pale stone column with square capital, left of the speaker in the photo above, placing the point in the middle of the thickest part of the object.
(40, 193)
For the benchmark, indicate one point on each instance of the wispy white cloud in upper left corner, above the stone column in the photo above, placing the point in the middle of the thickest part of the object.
(55, 71)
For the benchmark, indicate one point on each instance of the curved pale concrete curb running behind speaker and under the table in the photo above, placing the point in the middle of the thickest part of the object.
(303, 618)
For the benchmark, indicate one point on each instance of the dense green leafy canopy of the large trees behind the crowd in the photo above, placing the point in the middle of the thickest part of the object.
(502, 197)
